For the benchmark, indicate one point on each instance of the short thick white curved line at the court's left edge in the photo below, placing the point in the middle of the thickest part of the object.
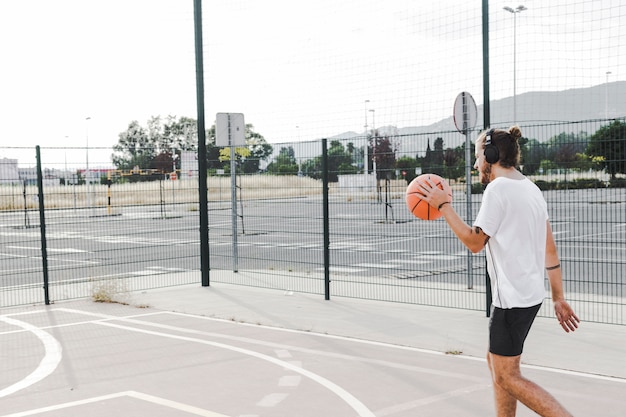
(50, 361)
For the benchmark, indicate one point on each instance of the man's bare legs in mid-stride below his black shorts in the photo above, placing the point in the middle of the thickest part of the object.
(508, 377)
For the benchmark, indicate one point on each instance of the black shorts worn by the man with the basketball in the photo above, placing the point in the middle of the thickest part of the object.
(508, 329)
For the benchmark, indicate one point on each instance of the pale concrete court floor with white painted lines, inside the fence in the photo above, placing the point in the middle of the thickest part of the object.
(246, 352)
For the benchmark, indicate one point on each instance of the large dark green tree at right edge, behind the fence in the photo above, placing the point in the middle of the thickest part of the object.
(608, 145)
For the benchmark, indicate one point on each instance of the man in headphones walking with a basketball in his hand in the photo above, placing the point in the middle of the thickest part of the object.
(512, 224)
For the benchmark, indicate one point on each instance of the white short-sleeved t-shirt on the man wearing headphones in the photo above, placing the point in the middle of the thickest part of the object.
(514, 215)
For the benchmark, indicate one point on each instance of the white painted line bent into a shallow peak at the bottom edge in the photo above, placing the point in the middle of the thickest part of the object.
(133, 394)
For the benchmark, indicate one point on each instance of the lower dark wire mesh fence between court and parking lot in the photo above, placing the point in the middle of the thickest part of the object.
(109, 232)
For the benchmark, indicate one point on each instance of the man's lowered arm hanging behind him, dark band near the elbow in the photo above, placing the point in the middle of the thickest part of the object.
(564, 313)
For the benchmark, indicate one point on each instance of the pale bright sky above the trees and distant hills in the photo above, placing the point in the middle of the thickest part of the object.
(75, 73)
